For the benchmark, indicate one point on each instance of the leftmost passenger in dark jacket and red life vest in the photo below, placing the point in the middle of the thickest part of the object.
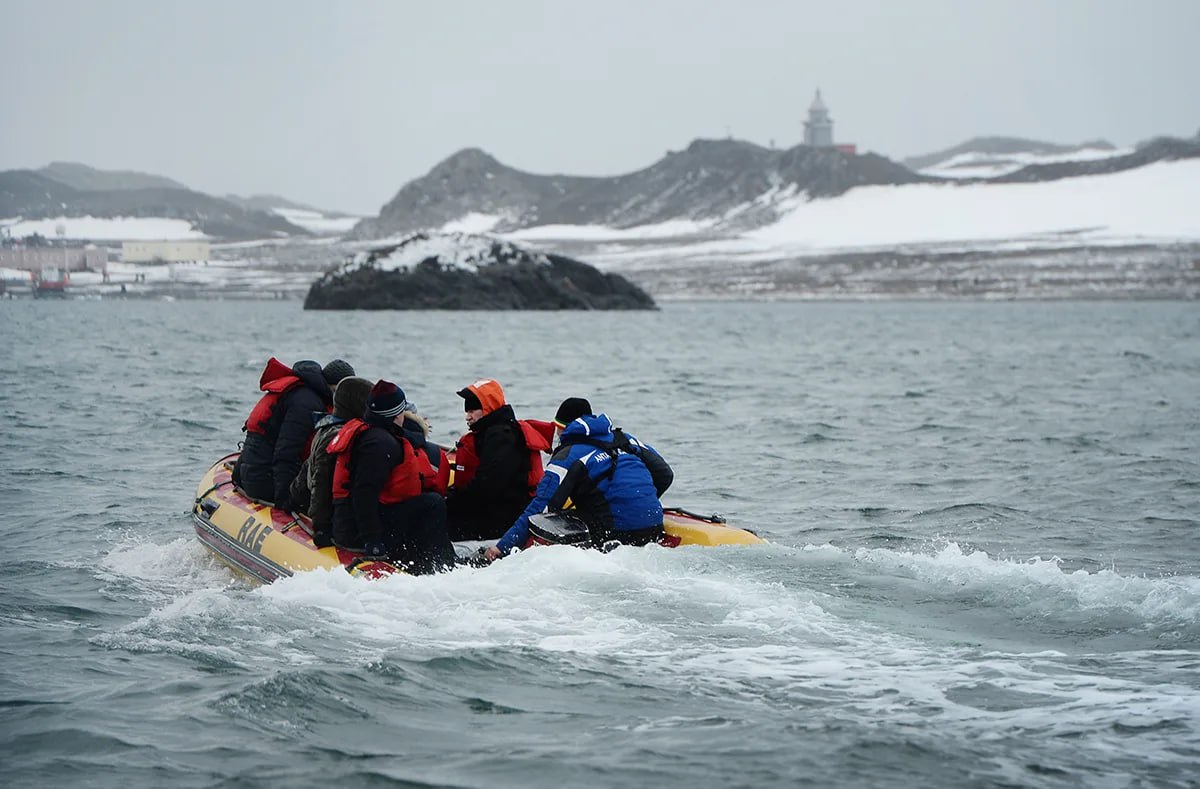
(281, 425)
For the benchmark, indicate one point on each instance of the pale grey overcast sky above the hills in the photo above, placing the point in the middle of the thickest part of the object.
(340, 103)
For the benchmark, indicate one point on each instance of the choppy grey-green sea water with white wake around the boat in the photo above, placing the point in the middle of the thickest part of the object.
(985, 561)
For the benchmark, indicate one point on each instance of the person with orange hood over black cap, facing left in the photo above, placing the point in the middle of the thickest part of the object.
(497, 465)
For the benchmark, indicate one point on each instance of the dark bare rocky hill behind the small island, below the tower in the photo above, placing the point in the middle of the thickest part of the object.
(731, 184)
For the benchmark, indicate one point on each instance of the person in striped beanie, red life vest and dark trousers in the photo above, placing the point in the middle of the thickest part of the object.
(379, 504)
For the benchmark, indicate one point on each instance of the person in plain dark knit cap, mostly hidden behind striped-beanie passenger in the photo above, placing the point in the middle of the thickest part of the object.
(313, 491)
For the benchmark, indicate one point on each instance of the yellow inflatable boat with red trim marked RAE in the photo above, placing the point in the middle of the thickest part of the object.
(268, 544)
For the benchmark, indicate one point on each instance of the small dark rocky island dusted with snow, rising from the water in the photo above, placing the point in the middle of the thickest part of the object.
(464, 272)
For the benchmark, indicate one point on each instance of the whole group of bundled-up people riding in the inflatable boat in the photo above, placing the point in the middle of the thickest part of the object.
(358, 460)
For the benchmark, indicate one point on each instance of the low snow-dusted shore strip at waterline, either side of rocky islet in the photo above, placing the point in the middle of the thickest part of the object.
(1021, 270)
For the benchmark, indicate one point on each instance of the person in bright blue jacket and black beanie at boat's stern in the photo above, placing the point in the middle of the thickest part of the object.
(613, 479)
